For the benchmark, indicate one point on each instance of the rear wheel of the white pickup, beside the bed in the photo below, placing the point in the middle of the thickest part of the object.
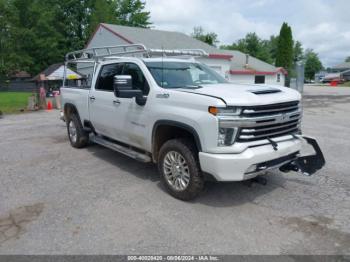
(78, 138)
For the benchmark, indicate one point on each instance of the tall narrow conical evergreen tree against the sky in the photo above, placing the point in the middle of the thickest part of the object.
(284, 54)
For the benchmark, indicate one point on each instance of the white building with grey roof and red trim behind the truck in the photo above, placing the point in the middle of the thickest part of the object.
(234, 65)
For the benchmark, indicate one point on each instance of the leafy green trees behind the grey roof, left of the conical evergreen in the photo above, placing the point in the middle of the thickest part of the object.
(253, 46)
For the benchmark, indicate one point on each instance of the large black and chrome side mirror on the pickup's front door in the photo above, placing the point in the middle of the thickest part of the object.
(122, 85)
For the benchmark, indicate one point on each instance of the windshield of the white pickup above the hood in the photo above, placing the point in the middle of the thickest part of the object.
(183, 75)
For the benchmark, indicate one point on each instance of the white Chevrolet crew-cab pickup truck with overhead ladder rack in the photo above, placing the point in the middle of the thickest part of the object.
(183, 116)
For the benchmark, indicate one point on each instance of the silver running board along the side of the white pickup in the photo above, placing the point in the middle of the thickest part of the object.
(121, 149)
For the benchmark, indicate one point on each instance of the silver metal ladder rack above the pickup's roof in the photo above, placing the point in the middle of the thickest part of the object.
(95, 54)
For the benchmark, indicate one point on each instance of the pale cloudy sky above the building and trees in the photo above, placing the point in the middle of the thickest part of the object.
(323, 25)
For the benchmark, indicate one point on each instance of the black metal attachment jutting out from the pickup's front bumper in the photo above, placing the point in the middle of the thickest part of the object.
(309, 164)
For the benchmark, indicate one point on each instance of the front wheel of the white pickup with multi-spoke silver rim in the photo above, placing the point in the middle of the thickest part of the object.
(179, 169)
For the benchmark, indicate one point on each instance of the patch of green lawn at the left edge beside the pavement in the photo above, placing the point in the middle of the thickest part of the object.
(13, 102)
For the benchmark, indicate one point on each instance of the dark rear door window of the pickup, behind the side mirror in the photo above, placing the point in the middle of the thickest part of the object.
(105, 79)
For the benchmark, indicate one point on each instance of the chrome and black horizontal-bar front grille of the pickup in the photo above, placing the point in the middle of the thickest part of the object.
(269, 121)
